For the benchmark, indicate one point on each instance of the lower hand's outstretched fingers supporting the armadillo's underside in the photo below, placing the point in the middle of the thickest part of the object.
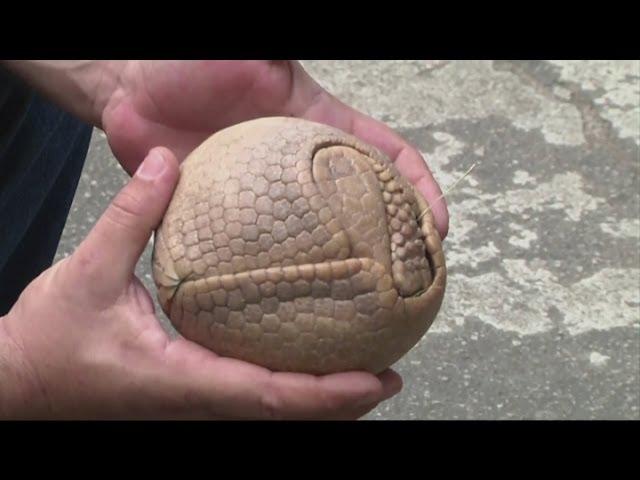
(229, 388)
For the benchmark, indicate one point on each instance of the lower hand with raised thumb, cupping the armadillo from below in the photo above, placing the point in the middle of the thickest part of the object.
(83, 340)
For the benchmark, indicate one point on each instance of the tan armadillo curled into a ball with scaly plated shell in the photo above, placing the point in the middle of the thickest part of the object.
(295, 246)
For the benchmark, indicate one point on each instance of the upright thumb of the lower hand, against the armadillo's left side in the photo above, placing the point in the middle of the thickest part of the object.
(111, 250)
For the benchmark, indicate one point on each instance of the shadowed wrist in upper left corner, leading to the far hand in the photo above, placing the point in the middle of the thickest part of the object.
(82, 87)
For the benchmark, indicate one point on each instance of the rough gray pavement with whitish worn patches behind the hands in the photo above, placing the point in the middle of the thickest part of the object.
(542, 314)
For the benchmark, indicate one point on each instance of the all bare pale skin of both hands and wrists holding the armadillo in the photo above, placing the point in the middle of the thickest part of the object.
(83, 340)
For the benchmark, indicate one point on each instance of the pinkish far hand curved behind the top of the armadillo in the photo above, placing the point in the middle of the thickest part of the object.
(181, 103)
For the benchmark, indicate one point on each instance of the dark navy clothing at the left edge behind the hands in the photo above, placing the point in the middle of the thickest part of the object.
(42, 152)
